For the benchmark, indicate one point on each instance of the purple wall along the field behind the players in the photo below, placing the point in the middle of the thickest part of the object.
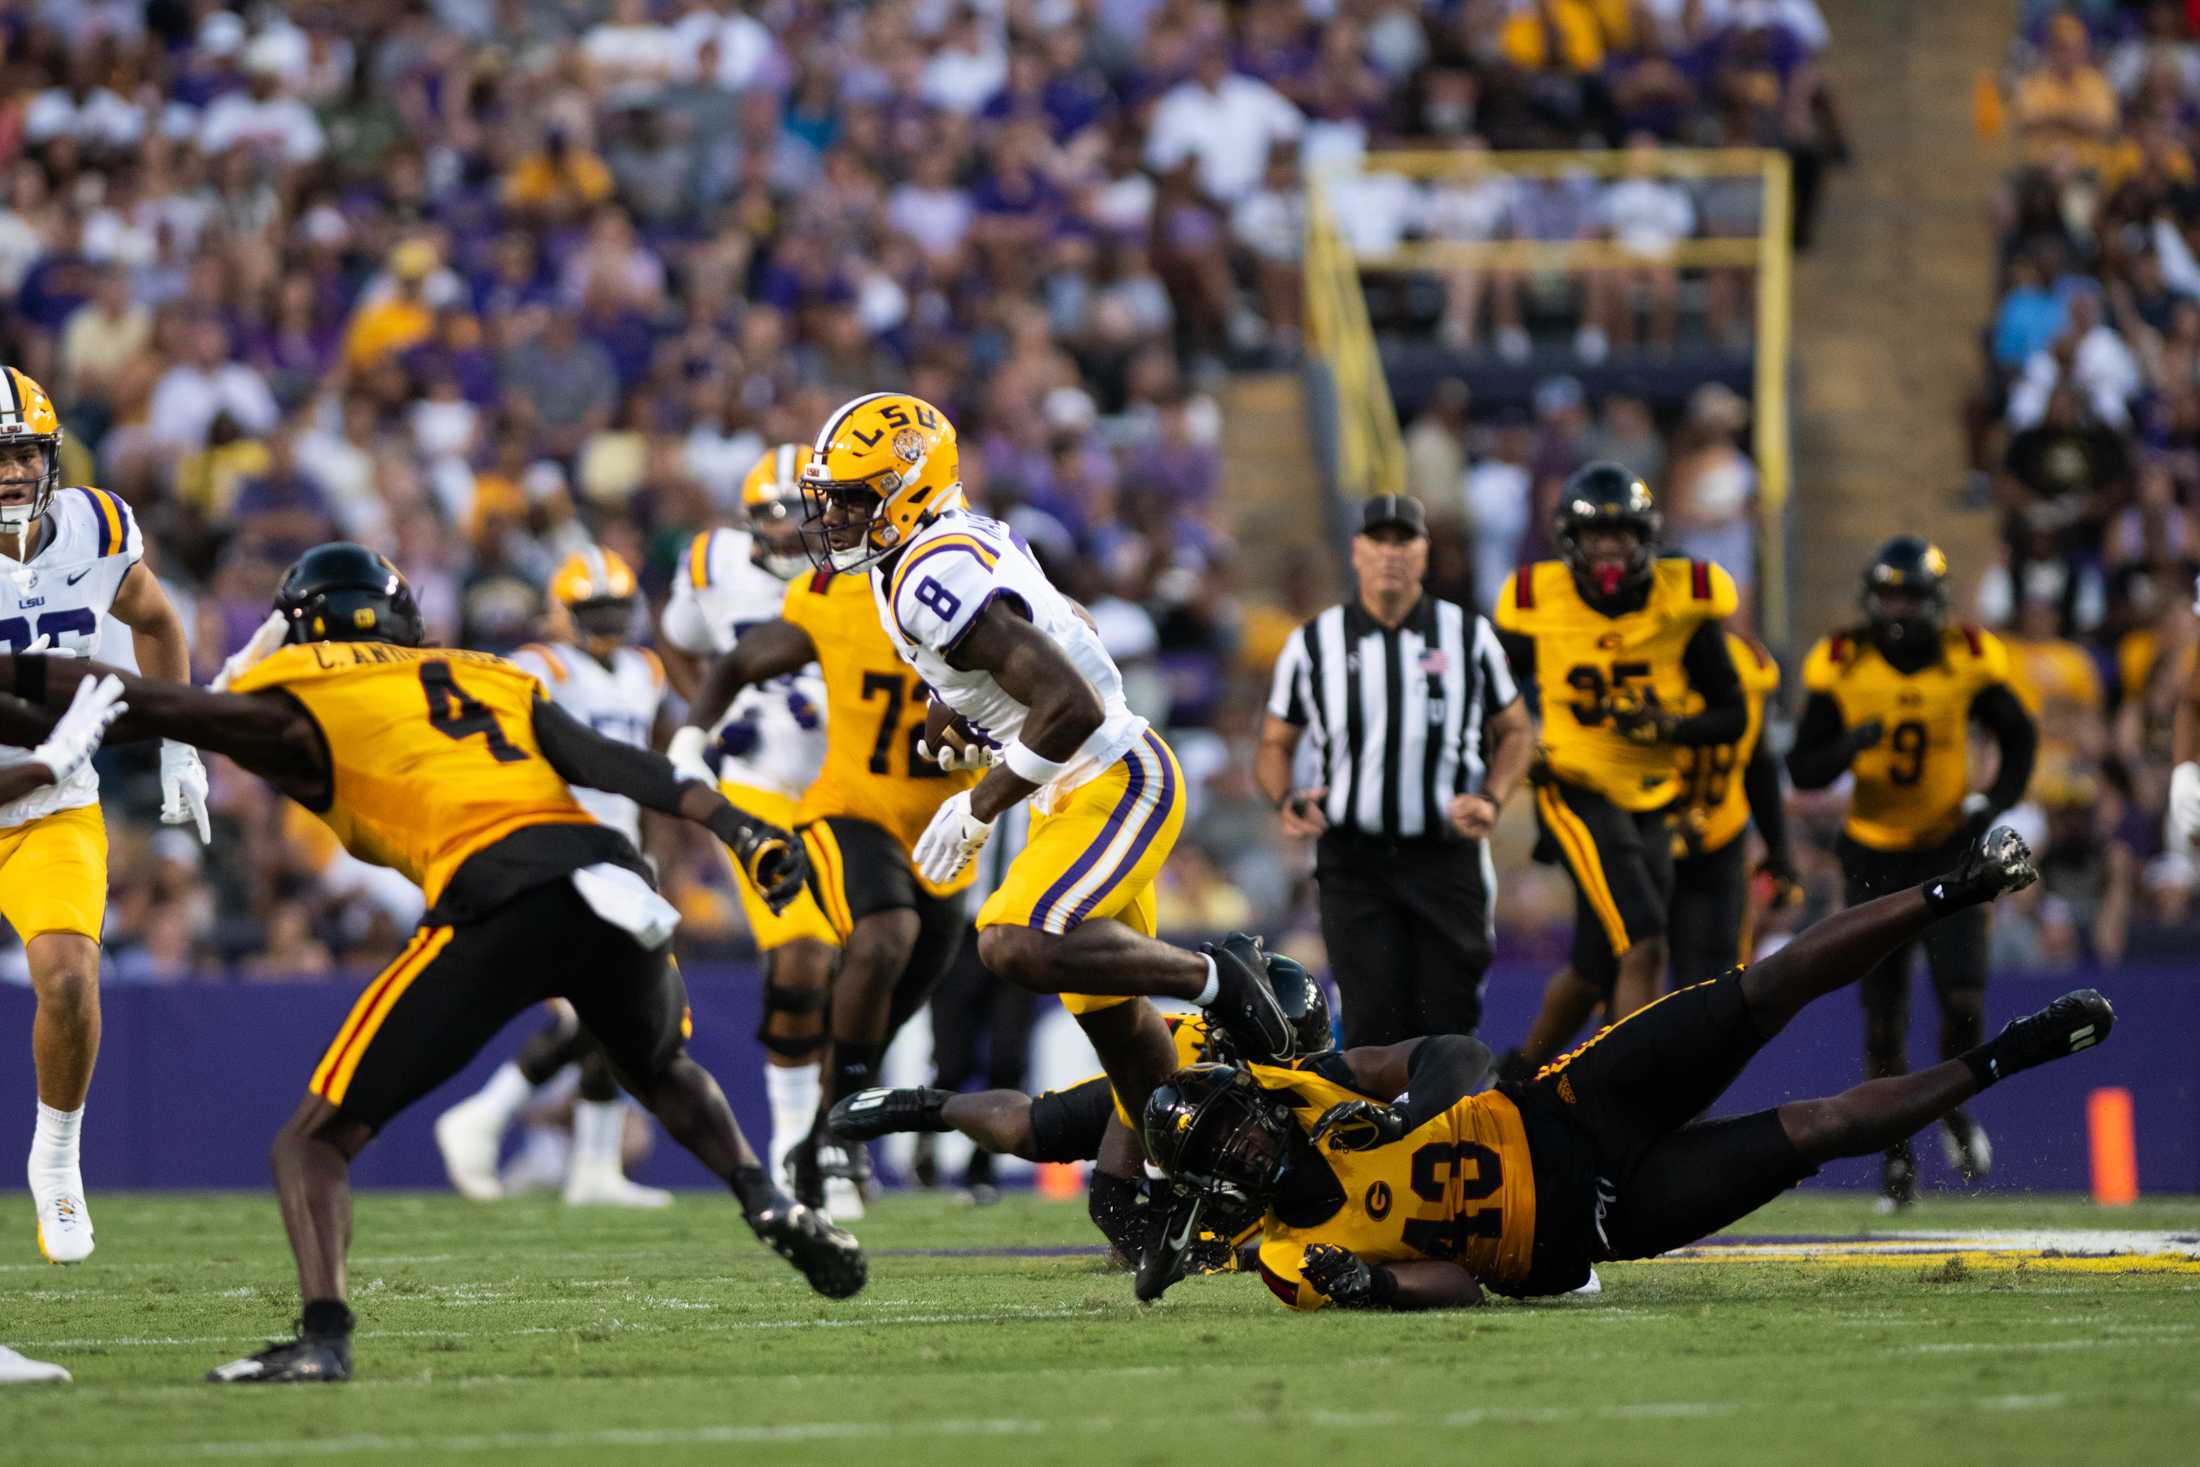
(195, 1081)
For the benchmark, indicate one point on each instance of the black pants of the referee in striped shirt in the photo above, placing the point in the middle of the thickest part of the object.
(1407, 925)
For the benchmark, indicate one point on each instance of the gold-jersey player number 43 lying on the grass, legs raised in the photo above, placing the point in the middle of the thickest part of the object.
(1431, 1200)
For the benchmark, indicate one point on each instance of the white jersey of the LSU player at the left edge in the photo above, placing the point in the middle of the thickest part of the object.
(63, 595)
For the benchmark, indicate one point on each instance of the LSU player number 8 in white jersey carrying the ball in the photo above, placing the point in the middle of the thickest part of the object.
(971, 613)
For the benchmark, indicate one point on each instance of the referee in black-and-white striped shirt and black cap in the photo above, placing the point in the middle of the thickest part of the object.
(1420, 736)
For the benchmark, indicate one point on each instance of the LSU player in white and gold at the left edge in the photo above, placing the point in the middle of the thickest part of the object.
(69, 558)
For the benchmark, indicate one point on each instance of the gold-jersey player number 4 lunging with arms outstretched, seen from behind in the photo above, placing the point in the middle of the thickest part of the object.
(459, 773)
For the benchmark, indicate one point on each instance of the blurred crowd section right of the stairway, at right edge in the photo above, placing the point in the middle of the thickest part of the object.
(2087, 441)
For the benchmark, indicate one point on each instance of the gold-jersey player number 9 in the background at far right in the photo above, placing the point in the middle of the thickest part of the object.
(1893, 703)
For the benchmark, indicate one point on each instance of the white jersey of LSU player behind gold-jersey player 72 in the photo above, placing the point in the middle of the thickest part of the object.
(720, 595)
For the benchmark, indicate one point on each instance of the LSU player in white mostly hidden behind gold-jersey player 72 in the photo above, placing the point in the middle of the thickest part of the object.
(767, 749)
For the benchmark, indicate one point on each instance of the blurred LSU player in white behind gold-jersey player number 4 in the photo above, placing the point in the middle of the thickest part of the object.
(595, 672)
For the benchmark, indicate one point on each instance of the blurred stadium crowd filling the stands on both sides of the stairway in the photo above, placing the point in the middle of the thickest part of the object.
(485, 280)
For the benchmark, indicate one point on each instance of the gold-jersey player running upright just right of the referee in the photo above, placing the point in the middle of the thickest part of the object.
(1616, 641)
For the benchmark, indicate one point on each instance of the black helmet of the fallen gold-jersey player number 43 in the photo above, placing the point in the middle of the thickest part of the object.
(1211, 1127)
